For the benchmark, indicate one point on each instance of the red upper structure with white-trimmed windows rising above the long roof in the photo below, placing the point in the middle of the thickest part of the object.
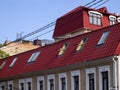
(83, 20)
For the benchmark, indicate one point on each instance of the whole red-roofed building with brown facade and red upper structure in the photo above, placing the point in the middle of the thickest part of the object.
(85, 56)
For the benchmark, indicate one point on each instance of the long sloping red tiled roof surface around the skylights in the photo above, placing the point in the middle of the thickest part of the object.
(49, 58)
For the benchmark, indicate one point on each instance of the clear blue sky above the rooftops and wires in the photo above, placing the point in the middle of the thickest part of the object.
(25, 16)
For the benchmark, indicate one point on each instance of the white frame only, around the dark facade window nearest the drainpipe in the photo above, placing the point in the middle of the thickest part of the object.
(102, 69)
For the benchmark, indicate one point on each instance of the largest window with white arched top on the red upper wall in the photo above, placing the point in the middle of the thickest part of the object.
(95, 18)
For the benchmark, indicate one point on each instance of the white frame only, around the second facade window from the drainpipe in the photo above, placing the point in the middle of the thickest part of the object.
(90, 71)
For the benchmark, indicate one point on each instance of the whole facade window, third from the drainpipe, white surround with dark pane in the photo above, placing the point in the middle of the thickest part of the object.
(75, 80)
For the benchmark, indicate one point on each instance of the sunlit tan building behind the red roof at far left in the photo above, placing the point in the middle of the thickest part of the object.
(13, 48)
